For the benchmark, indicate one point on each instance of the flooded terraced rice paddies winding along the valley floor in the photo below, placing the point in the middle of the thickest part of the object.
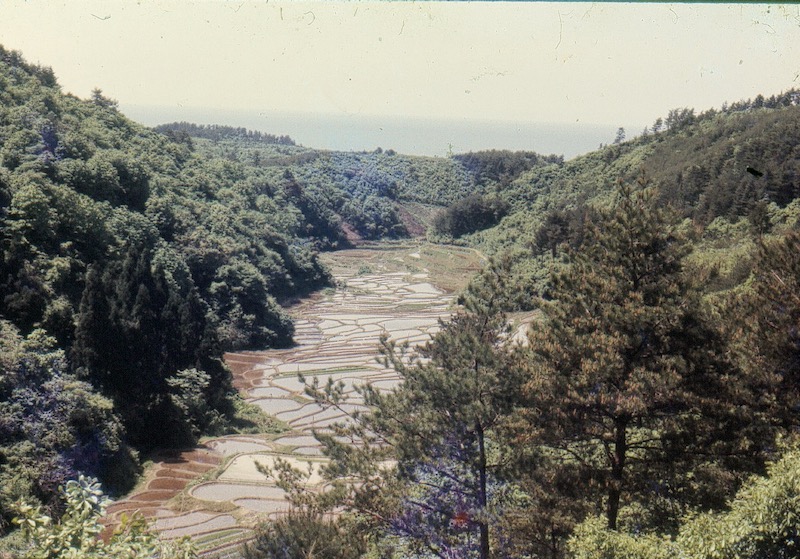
(400, 290)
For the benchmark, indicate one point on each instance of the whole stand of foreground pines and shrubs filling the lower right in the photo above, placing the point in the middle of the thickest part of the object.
(637, 410)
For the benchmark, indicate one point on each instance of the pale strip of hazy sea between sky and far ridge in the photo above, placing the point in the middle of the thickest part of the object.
(409, 136)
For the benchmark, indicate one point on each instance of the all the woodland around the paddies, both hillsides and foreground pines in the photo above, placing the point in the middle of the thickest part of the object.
(658, 277)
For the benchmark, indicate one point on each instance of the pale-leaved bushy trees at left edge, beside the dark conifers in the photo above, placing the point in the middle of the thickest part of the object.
(54, 425)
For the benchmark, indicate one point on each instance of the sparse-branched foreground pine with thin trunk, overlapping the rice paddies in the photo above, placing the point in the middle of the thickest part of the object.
(445, 497)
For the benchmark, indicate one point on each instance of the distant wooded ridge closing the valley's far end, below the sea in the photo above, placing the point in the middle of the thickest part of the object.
(369, 193)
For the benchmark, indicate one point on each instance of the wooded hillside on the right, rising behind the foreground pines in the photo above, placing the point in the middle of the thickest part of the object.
(732, 173)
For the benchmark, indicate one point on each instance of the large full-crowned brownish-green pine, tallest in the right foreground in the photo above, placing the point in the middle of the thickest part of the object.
(624, 354)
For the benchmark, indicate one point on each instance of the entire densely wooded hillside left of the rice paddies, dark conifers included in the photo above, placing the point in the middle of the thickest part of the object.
(130, 262)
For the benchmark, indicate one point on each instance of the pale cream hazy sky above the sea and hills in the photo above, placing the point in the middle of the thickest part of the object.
(545, 62)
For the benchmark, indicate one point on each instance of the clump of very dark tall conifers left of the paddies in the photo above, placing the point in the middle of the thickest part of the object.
(139, 324)
